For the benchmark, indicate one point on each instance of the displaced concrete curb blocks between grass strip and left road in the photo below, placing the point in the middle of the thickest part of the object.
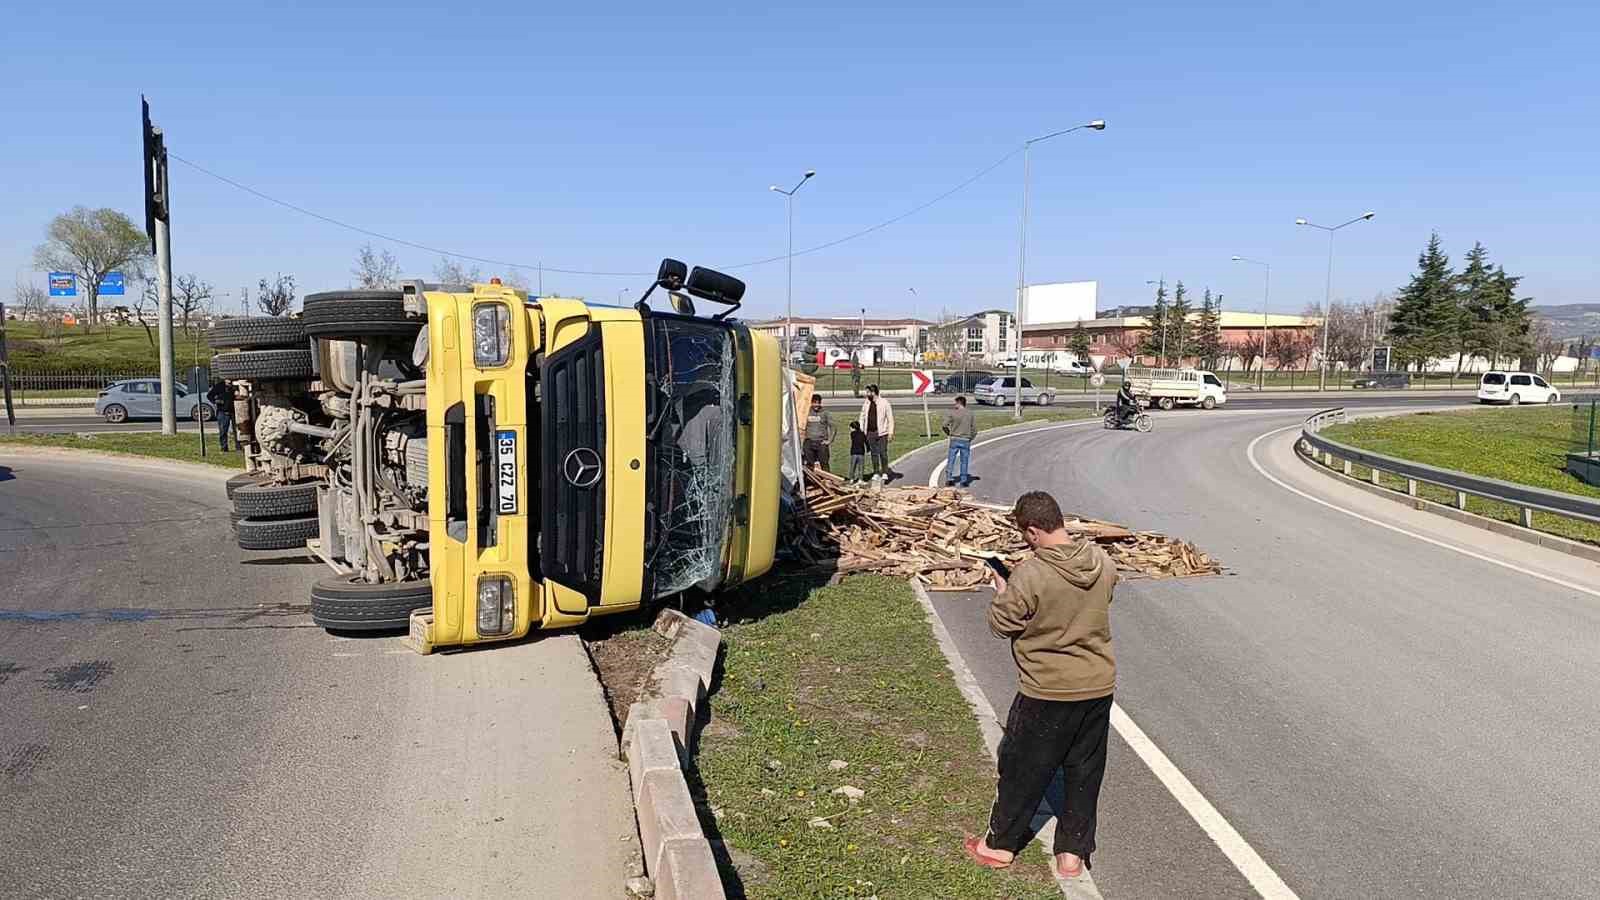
(658, 742)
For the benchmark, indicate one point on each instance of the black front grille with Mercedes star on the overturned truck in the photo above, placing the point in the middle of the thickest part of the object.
(574, 438)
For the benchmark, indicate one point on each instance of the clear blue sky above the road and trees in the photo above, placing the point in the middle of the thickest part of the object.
(606, 137)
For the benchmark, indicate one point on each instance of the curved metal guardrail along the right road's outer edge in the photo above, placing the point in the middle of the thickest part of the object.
(1526, 499)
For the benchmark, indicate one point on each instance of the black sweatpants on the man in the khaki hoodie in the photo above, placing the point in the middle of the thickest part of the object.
(1042, 737)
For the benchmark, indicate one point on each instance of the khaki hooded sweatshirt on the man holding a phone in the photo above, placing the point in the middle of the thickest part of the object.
(1057, 613)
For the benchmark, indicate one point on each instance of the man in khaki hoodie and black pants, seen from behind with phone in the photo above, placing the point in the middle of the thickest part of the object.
(1057, 611)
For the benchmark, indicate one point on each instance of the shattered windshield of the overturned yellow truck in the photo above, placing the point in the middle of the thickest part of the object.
(694, 435)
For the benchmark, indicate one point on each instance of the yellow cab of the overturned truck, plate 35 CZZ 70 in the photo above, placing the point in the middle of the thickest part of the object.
(591, 459)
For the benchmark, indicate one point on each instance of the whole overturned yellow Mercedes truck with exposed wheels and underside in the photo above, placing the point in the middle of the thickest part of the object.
(474, 464)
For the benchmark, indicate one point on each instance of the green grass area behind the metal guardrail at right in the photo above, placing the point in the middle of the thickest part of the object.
(1524, 446)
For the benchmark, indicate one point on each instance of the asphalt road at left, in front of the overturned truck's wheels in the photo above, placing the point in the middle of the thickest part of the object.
(172, 725)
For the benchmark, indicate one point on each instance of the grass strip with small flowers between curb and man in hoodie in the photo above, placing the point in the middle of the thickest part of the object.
(841, 758)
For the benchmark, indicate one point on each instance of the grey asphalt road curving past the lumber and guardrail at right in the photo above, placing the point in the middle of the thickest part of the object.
(1377, 715)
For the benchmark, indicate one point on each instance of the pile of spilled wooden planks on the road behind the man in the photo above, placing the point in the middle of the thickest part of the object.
(942, 539)
